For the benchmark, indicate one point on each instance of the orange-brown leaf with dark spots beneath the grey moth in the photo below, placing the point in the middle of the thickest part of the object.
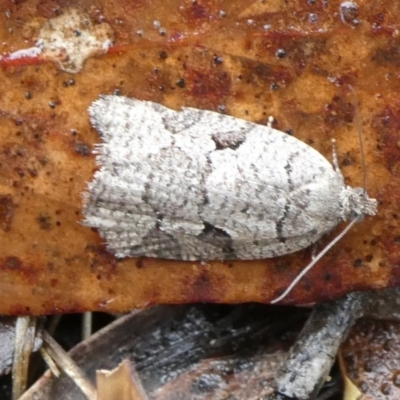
(290, 60)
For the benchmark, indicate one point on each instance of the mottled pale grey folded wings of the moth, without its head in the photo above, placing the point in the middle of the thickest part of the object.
(196, 184)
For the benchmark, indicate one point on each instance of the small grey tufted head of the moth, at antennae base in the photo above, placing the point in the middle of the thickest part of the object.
(355, 203)
